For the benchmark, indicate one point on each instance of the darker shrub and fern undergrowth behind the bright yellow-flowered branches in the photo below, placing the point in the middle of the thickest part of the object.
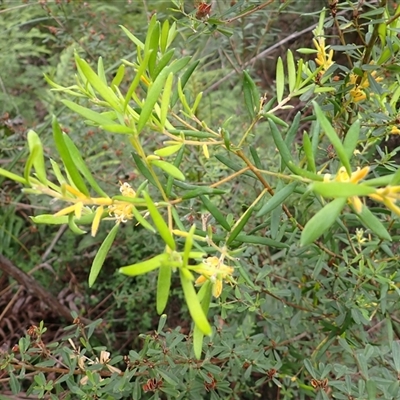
(312, 321)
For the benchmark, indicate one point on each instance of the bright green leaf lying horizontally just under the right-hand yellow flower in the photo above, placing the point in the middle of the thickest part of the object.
(341, 189)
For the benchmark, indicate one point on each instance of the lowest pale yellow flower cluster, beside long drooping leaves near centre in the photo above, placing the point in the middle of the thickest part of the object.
(216, 271)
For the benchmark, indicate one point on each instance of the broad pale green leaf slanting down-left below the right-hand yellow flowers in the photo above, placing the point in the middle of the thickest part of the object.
(322, 221)
